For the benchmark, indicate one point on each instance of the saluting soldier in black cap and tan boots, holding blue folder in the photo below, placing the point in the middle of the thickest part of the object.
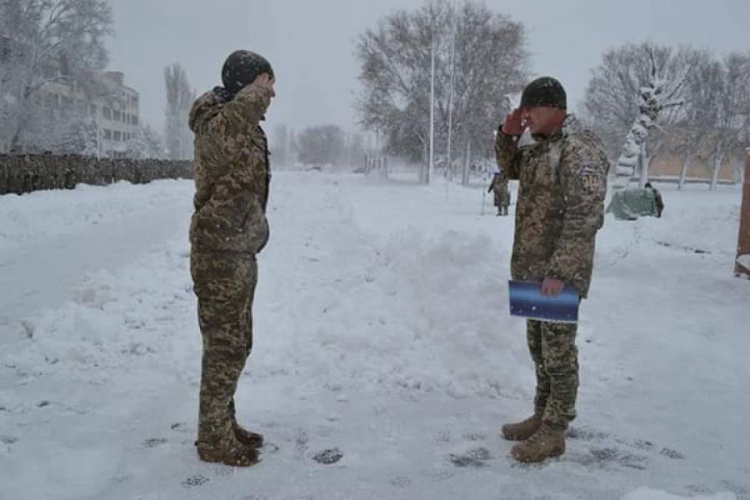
(562, 185)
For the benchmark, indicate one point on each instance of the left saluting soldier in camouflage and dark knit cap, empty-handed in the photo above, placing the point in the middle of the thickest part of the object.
(227, 231)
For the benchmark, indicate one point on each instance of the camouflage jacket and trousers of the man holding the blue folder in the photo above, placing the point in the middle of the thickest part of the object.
(560, 208)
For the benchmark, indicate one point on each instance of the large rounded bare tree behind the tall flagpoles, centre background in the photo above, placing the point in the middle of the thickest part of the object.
(480, 57)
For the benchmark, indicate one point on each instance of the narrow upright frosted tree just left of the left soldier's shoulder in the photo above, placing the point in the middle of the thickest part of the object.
(180, 98)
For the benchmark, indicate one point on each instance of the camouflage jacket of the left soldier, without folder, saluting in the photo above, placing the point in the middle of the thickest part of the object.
(232, 174)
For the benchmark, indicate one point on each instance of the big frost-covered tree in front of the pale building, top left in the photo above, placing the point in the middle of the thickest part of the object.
(43, 42)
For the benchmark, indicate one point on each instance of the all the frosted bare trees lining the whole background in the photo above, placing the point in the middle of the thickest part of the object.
(448, 64)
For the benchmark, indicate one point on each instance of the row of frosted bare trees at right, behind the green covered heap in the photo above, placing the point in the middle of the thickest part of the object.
(647, 100)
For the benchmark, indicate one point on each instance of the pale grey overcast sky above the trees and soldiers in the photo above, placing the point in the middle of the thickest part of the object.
(311, 42)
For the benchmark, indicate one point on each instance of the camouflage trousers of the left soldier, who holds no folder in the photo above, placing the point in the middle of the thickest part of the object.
(225, 287)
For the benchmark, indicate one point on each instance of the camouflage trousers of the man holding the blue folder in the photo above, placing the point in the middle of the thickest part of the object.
(553, 349)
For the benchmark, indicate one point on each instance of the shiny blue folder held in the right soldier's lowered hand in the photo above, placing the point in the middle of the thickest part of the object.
(526, 300)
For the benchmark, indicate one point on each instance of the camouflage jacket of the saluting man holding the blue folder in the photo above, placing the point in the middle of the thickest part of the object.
(562, 185)
